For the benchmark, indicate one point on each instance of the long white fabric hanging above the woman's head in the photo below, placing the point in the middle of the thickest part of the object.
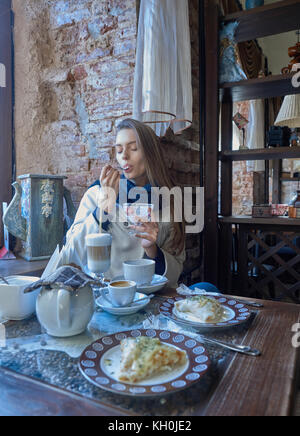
(163, 79)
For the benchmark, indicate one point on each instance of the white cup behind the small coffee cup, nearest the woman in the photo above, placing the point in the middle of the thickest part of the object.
(140, 271)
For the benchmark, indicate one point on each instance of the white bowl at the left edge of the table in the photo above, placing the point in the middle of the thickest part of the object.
(14, 304)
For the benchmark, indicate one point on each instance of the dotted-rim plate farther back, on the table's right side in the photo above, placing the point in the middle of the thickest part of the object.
(237, 314)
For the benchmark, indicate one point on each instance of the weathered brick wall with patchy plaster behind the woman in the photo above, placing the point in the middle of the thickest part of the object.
(74, 71)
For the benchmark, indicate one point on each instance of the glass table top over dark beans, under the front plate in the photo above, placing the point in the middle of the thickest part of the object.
(25, 348)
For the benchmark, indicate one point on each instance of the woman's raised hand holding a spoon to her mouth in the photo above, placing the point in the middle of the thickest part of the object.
(109, 181)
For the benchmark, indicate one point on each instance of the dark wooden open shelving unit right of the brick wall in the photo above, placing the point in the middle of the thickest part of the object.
(267, 20)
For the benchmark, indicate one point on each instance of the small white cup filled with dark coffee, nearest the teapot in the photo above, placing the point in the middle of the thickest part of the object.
(120, 292)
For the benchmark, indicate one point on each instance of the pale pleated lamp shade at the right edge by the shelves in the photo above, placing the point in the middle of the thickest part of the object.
(289, 114)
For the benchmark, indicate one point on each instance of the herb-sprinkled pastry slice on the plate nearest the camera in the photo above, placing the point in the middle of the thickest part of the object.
(144, 357)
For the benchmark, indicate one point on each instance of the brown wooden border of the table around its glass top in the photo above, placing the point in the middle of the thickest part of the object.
(252, 386)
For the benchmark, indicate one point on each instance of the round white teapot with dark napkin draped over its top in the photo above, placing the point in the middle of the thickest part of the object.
(65, 313)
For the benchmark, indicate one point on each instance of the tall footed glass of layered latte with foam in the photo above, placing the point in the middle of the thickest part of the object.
(98, 257)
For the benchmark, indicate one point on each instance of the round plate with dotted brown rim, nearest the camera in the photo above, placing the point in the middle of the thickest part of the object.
(100, 360)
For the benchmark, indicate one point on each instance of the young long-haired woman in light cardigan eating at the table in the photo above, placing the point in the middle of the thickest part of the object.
(140, 158)
